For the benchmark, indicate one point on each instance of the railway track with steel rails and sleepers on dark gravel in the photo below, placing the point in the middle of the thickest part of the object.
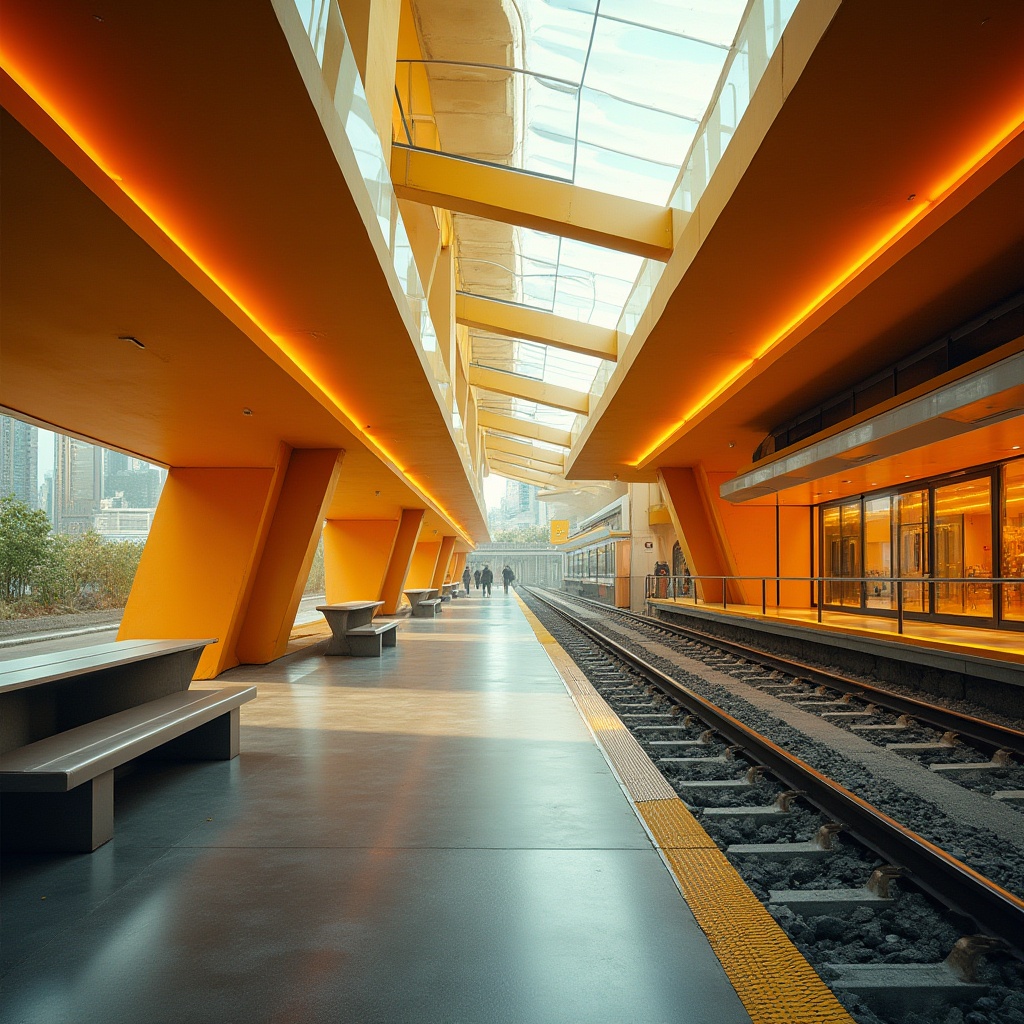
(695, 743)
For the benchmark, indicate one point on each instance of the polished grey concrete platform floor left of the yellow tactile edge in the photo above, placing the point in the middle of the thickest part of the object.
(432, 837)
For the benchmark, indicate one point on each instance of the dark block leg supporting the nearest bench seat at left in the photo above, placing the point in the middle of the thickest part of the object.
(77, 822)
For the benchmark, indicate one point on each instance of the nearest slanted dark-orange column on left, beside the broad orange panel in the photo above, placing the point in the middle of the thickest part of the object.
(306, 495)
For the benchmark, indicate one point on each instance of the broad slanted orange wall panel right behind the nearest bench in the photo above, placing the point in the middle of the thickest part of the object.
(199, 566)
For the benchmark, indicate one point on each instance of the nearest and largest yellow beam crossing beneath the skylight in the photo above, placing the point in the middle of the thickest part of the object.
(529, 201)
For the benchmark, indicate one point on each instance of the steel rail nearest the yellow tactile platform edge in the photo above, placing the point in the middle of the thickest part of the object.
(948, 880)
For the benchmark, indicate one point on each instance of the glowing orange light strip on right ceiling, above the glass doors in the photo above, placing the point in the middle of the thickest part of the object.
(942, 192)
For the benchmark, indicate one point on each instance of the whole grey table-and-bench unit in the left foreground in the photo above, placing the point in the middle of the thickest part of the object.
(69, 719)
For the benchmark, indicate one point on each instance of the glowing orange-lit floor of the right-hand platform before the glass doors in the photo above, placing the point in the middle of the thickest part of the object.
(1001, 645)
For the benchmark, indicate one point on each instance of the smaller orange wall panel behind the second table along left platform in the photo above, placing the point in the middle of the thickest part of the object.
(357, 553)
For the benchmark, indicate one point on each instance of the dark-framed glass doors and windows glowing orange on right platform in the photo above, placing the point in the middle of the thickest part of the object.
(943, 543)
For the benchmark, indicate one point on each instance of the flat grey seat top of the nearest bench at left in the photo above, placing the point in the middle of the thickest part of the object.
(60, 763)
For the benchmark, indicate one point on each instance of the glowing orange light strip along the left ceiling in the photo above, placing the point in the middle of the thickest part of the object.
(281, 344)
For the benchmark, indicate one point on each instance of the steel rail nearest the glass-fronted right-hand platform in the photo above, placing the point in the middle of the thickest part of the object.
(988, 737)
